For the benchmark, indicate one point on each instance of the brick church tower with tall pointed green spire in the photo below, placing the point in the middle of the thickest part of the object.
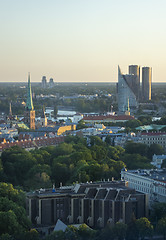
(29, 114)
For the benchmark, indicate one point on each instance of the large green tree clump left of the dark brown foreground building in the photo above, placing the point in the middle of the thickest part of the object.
(13, 218)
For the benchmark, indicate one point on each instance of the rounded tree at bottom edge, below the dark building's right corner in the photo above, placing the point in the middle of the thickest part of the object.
(145, 228)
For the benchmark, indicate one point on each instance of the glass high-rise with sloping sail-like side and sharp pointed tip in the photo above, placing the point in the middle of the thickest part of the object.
(126, 95)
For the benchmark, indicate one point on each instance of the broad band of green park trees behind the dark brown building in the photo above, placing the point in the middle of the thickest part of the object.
(72, 161)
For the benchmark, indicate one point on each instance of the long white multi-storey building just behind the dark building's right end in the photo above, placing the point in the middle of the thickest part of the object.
(149, 181)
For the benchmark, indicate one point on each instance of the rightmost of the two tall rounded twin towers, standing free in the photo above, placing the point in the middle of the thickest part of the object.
(147, 83)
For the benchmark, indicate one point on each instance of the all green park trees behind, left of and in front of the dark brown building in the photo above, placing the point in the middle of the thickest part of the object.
(70, 162)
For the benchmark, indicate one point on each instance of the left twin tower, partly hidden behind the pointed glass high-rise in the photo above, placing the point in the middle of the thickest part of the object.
(135, 70)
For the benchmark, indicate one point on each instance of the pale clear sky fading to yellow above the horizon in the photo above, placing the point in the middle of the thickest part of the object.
(81, 40)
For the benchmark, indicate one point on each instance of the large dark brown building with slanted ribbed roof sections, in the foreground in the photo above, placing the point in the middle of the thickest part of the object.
(94, 204)
